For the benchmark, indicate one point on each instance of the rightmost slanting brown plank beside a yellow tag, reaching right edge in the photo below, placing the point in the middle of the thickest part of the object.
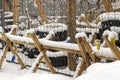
(113, 47)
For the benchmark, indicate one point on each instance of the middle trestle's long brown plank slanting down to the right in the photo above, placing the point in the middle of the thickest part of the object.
(42, 50)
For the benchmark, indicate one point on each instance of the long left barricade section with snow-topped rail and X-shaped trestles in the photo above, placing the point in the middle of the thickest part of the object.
(42, 47)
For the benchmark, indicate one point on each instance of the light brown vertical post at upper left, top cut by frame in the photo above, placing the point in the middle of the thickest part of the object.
(15, 11)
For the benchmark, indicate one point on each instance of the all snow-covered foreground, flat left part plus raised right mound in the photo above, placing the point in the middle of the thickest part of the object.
(97, 71)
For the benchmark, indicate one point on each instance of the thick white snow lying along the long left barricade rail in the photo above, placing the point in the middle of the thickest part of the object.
(44, 42)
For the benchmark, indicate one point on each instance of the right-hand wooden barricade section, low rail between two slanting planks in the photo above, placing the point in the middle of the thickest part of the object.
(96, 58)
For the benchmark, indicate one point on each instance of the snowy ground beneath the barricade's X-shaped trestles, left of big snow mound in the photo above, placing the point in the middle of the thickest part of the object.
(11, 71)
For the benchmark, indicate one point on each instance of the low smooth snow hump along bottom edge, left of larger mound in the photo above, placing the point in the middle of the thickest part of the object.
(34, 76)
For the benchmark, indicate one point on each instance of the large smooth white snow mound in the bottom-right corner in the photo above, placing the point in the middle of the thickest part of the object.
(102, 71)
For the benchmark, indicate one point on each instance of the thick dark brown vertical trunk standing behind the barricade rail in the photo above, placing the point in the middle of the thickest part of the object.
(71, 21)
